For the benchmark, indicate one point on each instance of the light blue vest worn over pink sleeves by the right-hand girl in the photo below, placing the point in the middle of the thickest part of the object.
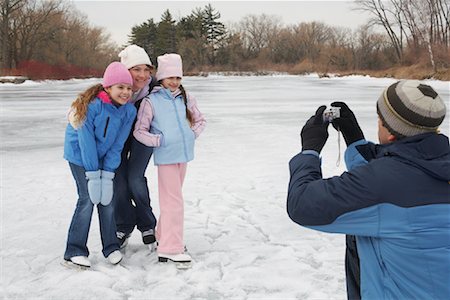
(169, 120)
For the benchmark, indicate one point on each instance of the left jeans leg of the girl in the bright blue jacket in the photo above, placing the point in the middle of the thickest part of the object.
(81, 220)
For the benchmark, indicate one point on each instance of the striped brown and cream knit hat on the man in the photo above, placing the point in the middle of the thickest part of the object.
(409, 107)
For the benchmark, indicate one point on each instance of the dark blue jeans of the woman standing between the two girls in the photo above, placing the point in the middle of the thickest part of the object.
(130, 184)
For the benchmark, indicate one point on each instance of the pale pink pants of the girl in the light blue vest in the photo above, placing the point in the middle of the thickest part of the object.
(170, 226)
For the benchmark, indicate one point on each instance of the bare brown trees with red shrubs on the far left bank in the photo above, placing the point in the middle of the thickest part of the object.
(51, 35)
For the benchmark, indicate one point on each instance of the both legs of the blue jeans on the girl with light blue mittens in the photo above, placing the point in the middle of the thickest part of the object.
(81, 221)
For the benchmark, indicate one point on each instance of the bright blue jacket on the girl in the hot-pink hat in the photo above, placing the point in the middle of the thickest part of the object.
(97, 144)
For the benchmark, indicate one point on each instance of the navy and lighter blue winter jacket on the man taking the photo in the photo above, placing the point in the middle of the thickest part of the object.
(396, 200)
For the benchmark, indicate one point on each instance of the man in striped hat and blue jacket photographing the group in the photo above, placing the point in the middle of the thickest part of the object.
(395, 198)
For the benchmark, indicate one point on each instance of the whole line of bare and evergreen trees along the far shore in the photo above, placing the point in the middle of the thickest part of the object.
(399, 33)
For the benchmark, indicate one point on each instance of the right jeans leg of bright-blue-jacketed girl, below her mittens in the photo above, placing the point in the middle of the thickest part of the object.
(108, 229)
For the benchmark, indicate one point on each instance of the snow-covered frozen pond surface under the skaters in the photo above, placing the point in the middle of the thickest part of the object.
(243, 243)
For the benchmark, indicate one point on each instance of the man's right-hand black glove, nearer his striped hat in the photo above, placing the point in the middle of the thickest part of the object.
(347, 124)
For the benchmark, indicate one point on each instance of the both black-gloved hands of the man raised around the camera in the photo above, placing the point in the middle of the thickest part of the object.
(314, 133)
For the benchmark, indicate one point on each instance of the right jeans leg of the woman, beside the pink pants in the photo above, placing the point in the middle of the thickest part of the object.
(137, 164)
